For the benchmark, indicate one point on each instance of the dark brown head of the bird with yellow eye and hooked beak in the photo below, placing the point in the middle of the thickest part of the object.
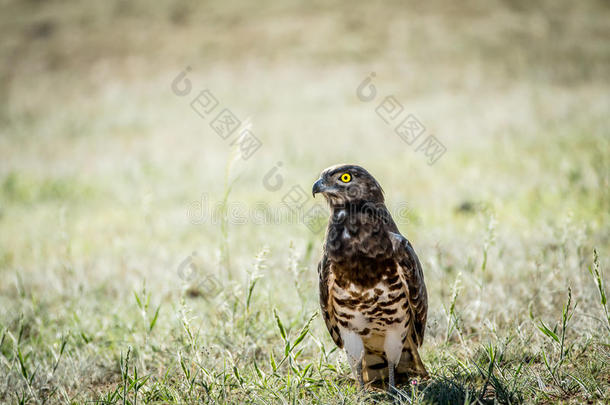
(346, 185)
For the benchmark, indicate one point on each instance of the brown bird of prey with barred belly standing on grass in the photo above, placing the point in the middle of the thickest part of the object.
(372, 290)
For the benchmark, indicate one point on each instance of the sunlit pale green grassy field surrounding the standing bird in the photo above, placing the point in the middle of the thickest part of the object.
(114, 290)
